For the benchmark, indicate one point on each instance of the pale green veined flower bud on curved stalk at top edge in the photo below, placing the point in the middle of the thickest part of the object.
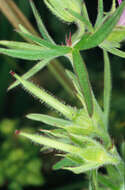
(59, 8)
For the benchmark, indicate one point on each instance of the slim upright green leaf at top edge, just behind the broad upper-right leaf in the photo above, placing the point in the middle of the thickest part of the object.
(100, 13)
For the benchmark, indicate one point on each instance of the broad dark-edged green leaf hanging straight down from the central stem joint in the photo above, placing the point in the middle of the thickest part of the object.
(81, 72)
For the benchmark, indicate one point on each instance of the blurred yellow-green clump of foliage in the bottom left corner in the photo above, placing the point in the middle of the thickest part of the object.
(19, 163)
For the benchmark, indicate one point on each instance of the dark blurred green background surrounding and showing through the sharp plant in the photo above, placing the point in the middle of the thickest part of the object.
(22, 166)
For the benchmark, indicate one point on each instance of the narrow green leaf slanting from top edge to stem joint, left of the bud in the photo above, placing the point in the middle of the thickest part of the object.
(40, 24)
